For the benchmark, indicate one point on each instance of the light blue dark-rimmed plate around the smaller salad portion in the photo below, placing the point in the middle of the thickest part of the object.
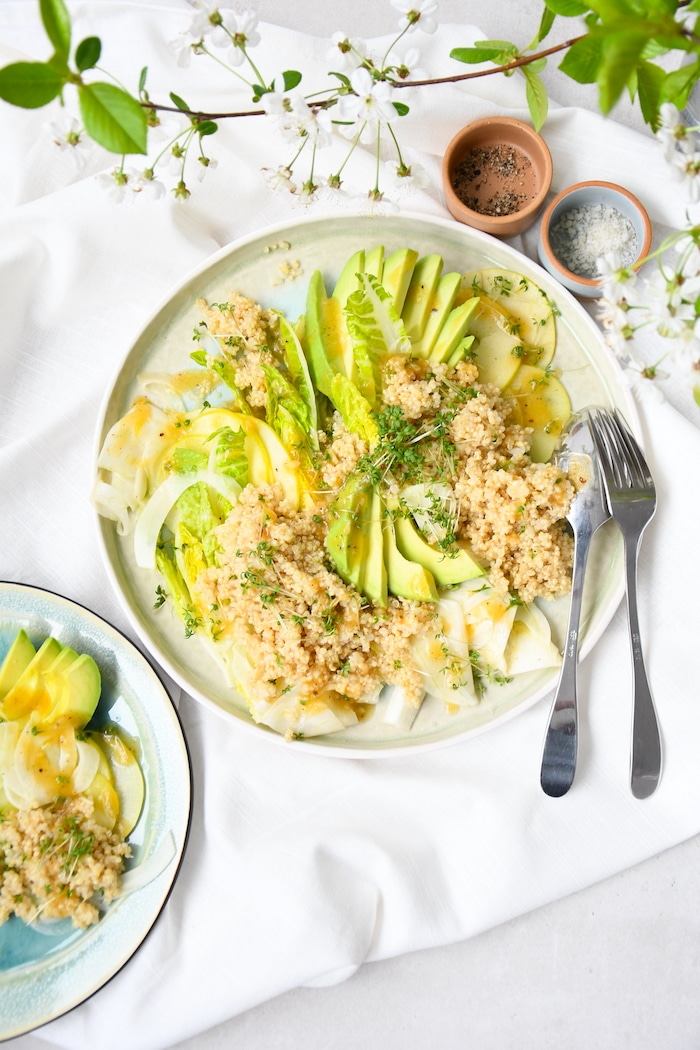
(48, 970)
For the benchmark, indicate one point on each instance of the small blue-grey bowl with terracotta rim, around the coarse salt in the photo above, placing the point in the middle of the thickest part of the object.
(587, 197)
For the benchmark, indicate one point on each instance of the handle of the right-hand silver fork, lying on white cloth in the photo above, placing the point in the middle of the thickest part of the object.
(646, 760)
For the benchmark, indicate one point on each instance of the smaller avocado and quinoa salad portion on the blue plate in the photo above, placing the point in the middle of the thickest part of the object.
(70, 795)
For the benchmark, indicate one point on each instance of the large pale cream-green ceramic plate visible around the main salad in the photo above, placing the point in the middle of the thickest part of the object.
(273, 268)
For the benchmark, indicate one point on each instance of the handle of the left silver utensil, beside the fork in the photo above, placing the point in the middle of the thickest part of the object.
(559, 763)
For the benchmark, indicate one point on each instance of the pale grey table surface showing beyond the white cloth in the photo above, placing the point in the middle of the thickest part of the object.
(617, 965)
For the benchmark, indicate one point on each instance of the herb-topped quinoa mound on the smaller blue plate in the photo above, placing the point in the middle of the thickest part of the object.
(55, 860)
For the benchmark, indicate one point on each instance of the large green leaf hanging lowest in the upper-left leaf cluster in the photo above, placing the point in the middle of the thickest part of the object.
(113, 118)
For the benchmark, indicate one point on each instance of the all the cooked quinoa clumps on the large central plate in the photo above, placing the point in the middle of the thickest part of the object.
(274, 587)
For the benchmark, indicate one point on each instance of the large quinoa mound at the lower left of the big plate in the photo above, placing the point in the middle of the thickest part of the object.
(303, 625)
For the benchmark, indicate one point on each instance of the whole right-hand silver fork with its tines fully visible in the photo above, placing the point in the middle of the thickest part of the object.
(632, 501)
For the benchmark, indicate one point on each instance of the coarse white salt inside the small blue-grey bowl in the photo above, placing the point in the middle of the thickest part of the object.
(584, 235)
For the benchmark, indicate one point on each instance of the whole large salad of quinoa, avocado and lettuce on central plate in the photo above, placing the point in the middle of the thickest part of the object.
(356, 511)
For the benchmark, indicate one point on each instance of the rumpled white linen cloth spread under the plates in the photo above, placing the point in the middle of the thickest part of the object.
(302, 868)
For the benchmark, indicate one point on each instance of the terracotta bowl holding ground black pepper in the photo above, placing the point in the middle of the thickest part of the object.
(480, 177)
